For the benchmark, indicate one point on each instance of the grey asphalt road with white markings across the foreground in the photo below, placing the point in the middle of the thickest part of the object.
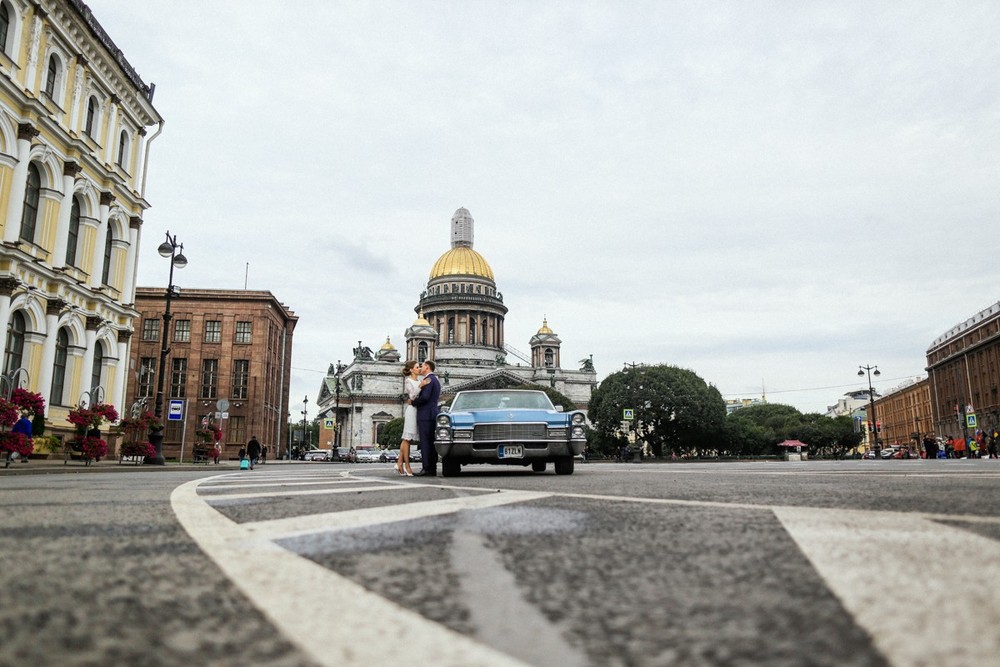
(818, 563)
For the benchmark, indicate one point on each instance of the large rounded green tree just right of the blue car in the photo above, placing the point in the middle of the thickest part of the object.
(674, 409)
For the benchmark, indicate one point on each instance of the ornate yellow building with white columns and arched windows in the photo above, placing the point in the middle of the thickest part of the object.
(73, 152)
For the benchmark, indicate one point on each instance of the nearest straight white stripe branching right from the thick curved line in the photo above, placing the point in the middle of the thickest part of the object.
(373, 516)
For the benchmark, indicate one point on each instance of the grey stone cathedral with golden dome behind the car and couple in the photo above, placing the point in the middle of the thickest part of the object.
(459, 325)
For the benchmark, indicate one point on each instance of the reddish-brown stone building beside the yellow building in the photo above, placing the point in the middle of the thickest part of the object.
(232, 345)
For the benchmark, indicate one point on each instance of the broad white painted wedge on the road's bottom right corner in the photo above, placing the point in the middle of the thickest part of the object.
(926, 593)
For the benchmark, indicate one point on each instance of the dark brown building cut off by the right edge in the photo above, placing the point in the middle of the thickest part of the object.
(963, 367)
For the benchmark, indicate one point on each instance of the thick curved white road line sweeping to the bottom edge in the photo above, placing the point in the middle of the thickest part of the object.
(297, 589)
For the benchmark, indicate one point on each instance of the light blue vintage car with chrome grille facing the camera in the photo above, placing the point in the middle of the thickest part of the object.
(508, 427)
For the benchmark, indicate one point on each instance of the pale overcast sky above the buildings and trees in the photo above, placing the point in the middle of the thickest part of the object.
(769, 194)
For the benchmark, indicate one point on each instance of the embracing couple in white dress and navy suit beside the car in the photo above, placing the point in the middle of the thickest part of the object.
(423, 390)
